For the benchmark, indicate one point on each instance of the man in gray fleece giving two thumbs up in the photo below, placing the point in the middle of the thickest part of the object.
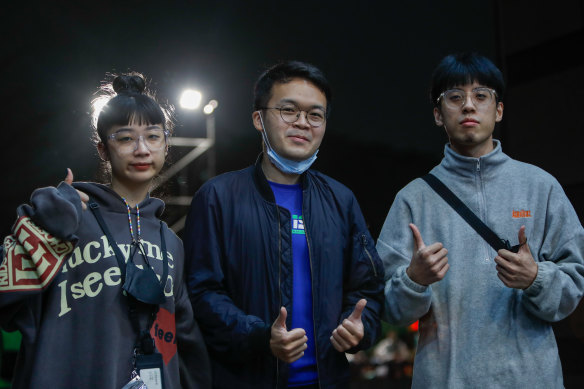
(485, 316)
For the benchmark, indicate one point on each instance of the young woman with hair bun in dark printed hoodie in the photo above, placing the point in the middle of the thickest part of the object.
(91, 276)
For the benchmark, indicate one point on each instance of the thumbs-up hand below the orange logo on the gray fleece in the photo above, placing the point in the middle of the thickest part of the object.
(517, 270)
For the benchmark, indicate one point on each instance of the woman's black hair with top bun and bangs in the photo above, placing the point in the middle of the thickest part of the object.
(127, 101)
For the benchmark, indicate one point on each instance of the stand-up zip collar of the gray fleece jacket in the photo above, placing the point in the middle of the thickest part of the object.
(468, 166)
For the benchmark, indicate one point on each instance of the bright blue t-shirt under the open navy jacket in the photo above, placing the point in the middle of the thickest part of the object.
(303, 371)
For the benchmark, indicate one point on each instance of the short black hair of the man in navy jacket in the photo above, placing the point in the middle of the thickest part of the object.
(284, 72)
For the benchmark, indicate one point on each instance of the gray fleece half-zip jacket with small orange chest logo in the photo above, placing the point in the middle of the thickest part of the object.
(475, 332)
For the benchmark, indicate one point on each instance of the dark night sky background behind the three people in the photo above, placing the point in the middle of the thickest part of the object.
(378, 57)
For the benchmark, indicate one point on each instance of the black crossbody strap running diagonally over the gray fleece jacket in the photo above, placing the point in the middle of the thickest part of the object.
(481, 228)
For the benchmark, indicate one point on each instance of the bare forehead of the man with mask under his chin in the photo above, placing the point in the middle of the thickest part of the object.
(298, 90)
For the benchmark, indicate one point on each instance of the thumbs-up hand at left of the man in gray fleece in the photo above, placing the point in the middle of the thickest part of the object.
(429, 263)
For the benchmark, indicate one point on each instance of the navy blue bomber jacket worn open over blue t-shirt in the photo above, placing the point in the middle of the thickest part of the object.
(238, 248)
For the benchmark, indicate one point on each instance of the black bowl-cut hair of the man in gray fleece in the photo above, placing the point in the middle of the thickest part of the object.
(465, 68)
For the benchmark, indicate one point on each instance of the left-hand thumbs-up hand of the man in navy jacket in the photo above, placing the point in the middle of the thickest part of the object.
(287, 346)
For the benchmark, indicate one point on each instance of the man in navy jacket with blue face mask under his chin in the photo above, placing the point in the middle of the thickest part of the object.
(282, 271)
